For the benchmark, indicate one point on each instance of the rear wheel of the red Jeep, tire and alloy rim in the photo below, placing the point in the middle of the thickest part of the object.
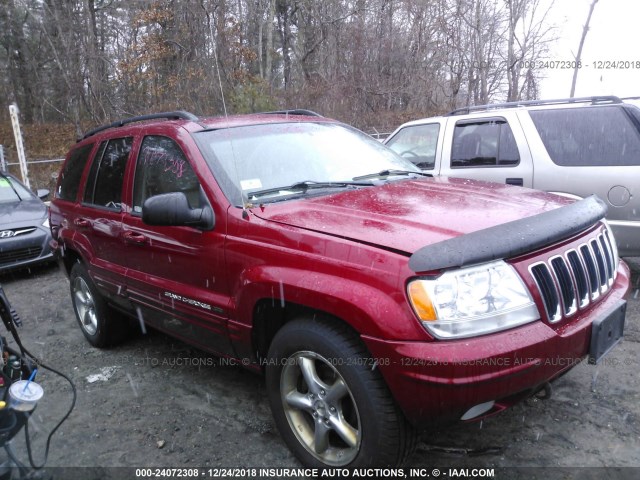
(100, 324)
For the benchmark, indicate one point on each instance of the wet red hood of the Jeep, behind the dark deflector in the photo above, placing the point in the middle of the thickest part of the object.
(404, 216)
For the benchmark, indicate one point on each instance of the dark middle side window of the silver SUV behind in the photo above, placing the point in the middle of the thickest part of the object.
(484, 143)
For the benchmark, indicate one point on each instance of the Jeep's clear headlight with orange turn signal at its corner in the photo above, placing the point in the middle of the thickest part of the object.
(472, 301)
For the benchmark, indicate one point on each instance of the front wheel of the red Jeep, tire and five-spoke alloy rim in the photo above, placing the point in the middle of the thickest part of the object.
(331, 407)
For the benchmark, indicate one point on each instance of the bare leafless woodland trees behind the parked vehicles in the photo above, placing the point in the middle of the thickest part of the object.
(367, 62)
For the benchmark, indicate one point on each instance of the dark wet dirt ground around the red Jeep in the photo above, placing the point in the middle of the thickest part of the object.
(157, 402)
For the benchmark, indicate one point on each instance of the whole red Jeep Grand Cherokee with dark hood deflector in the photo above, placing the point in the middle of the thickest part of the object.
(377, 300)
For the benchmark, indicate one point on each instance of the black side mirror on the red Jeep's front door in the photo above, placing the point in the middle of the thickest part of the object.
(173, 210)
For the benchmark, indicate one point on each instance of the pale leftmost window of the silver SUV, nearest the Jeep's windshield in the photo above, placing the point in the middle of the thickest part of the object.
(418, 144)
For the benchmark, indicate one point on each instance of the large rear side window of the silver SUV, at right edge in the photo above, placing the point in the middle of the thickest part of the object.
(588, 137)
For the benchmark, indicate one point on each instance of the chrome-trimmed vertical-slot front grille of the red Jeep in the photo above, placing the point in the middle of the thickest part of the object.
(576, 278)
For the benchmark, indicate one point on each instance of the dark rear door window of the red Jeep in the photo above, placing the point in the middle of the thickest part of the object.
(104, 185)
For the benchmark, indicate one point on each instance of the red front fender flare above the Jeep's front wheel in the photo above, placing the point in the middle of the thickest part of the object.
(269, 298)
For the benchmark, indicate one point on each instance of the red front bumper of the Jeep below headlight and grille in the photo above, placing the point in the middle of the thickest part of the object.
(439, 381)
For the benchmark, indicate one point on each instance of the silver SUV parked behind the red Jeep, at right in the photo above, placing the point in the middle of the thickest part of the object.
(572, 147)
